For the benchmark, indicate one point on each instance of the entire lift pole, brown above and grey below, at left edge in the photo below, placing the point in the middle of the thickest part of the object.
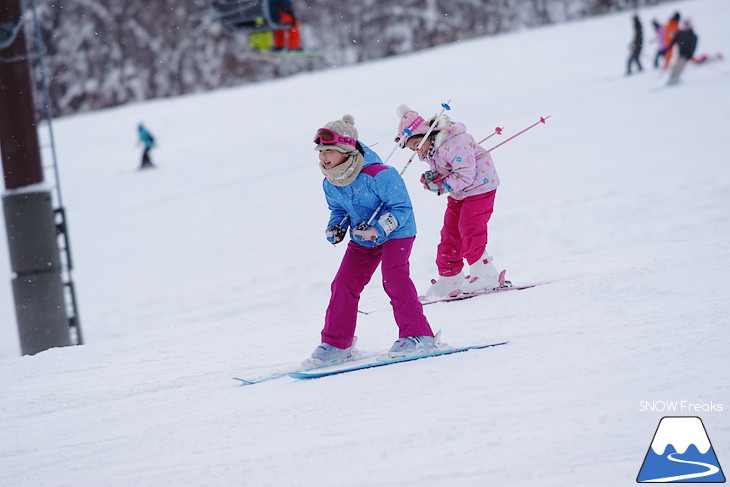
(29, 215)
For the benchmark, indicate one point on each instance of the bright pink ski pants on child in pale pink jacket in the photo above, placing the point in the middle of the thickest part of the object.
(464, 234)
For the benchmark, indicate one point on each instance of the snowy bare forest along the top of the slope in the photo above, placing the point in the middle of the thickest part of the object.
(102, 53)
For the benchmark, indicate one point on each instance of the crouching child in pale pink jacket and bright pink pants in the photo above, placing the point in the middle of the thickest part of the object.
(465, 170)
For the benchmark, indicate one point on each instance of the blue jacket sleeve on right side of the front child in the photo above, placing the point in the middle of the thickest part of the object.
(397, 209)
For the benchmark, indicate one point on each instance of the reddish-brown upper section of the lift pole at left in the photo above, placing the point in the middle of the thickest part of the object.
(18, 132)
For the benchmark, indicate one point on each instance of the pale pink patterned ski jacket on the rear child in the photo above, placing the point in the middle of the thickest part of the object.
(466, 167)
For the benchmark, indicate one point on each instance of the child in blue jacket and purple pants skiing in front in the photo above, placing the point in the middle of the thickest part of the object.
(356, 183)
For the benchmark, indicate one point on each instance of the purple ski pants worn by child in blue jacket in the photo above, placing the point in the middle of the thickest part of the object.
(356, 269)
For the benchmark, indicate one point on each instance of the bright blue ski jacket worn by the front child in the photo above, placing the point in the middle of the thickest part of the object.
(376, 183)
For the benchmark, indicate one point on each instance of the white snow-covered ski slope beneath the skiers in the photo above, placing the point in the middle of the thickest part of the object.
(215, 265)
